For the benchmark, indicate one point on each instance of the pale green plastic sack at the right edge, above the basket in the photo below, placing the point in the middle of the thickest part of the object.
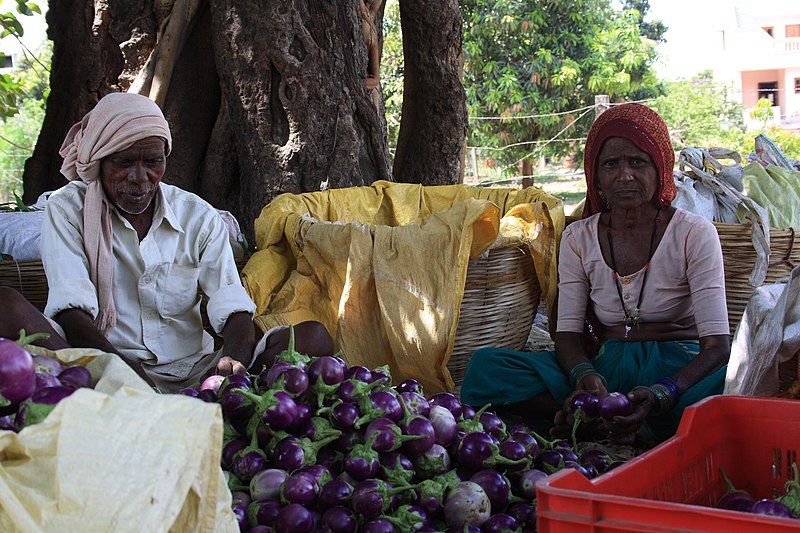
(777, 190)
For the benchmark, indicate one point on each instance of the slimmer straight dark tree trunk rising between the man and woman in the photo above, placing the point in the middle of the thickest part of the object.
(433, 125)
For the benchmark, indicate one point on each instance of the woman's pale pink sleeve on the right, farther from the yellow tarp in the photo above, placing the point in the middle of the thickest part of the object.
(706, 276)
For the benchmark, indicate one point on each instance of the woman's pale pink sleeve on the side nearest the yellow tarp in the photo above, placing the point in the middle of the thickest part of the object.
(573, 285)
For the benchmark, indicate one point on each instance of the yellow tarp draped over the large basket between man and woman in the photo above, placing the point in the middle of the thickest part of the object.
(383, 267)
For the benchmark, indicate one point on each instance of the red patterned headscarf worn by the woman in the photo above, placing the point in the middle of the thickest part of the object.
(643, 127)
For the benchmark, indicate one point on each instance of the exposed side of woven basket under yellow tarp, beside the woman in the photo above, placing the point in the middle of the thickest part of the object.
(501, 295)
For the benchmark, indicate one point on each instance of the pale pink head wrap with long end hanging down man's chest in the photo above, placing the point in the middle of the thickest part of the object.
(116, 122)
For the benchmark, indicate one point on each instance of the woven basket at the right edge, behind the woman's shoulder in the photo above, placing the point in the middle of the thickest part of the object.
(739, 256)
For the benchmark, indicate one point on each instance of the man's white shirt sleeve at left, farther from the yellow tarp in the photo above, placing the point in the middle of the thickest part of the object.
(65, 263)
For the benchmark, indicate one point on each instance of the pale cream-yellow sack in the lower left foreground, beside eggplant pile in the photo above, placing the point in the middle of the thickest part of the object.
(116, 458)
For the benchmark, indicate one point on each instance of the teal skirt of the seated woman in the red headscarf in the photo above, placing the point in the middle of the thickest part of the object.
(503, 377)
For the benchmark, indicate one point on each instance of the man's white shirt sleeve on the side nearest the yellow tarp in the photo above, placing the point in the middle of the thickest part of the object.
(219, 279)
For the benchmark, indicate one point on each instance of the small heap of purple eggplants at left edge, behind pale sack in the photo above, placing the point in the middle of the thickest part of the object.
(31, 386)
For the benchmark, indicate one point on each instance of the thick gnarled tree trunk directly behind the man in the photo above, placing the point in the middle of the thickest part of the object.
(265, 98)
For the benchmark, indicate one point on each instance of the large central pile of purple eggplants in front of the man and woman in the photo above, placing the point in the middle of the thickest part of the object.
(317, 445)
